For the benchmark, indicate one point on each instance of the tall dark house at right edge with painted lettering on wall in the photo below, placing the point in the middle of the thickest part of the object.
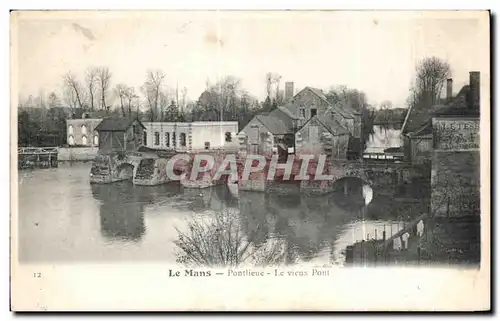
(455, 156)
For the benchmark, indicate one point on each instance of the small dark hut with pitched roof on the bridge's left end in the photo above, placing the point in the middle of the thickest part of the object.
(120, 134)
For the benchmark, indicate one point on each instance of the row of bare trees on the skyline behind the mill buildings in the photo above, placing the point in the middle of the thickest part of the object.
(225, 99)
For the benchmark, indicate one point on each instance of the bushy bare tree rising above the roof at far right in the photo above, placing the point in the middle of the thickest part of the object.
(431, 75)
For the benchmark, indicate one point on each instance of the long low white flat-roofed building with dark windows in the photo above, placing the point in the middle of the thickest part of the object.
(183, 136)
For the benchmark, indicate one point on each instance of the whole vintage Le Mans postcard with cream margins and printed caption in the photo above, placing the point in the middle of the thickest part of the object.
(250, 160)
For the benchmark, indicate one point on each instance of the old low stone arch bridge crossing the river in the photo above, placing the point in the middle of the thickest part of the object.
(150, 168)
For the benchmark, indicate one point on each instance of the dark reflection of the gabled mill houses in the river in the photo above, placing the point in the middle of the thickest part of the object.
(309, 225)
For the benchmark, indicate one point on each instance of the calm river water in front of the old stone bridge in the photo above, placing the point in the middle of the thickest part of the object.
(63, 218)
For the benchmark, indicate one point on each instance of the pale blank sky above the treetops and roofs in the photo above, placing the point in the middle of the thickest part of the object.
(375, 52)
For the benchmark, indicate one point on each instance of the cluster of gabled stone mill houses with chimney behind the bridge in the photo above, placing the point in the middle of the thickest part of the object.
(308, 122)
